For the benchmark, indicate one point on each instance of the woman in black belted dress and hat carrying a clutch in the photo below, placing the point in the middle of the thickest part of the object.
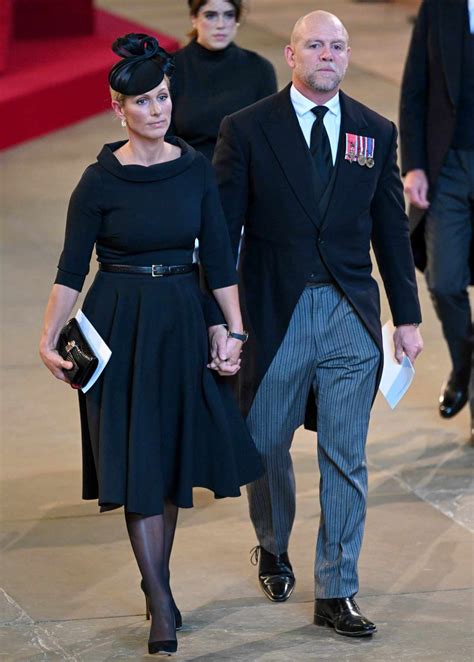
(157, 422)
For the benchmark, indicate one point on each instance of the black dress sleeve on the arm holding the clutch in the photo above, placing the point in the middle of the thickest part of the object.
(82, 227)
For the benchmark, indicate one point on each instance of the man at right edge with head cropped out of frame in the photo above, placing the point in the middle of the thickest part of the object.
(437, 143)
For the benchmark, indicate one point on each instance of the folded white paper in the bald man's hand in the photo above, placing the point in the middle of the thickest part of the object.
(396, 377)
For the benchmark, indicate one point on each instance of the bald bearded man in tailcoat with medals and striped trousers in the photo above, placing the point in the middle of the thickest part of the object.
(311, 305)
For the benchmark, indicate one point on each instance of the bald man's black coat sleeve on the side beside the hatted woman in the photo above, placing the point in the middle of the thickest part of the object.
(230, 164)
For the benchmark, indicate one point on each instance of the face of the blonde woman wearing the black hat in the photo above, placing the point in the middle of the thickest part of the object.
(147, 115)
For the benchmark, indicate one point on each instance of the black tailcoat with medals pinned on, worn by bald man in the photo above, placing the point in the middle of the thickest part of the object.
(265, 174)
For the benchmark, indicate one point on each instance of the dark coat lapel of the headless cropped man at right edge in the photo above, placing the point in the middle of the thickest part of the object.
(451, 16)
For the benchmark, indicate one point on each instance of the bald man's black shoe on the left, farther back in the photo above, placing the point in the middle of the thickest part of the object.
(275, 574)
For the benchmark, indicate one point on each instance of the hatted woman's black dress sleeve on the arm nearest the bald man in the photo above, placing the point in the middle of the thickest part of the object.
(214, 242)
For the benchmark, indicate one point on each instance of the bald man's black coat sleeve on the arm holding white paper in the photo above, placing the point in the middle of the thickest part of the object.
(391, 241)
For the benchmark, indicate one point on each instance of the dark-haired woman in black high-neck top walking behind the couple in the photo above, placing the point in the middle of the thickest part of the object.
(213, 76)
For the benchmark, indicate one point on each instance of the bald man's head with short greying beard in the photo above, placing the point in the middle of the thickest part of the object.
(319, 54)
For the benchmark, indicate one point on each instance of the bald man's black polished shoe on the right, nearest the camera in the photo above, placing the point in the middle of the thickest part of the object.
(343, 614)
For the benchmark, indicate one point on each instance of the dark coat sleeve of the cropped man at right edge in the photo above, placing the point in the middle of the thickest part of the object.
(413, 98)
